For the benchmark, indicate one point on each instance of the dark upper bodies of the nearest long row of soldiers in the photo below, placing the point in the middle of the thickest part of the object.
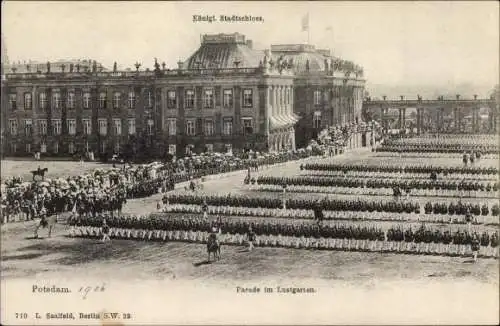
(195, 224)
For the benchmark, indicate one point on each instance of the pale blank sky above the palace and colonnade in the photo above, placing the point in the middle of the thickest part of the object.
(401, 45)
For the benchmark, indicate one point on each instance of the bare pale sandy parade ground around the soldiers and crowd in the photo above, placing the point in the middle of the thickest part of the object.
(23, 256)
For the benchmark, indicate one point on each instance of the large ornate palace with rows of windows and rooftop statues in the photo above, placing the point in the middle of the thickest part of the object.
(227, 96)
